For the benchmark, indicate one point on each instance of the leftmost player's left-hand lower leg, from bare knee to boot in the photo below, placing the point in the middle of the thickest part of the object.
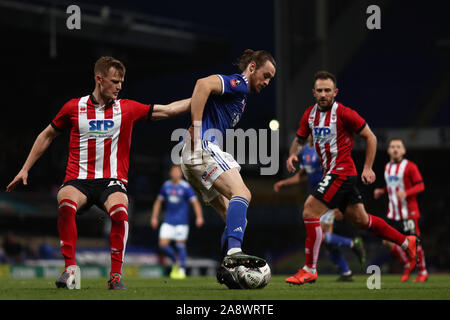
(69, 200)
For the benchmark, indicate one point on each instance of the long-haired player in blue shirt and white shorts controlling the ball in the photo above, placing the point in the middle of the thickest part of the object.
(218, 102)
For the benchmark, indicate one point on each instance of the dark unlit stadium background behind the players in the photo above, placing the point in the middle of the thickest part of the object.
(397, 77)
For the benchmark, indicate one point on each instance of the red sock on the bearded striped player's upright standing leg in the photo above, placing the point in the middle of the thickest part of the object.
(312, 242)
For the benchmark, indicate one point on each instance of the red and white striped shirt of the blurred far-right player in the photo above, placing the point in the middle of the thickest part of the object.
(403, 176)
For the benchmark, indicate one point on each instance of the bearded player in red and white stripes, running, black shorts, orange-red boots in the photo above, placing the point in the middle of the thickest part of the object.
(332, 126)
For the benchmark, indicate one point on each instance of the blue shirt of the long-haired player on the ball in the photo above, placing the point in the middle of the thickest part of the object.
(224, 111)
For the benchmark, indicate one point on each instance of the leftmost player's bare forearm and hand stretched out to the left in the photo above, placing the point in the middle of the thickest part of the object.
(42, 142)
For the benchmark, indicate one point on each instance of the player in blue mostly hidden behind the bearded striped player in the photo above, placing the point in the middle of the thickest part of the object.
(311, 170)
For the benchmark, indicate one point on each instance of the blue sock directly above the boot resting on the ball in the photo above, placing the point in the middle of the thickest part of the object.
(236, 221)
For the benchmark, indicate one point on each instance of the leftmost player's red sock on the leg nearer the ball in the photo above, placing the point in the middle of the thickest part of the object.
(118, 236)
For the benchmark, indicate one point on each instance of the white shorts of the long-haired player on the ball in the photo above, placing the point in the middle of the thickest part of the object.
(202, 176)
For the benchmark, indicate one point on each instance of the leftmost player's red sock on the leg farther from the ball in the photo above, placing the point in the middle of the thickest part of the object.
(67, 229)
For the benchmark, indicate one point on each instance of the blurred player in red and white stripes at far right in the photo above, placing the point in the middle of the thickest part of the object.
(403, 183)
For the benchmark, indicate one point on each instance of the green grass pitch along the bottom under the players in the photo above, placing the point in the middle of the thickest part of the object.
(206, 288)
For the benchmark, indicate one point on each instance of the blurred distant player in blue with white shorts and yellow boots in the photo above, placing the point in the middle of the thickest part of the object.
(177, 194)
